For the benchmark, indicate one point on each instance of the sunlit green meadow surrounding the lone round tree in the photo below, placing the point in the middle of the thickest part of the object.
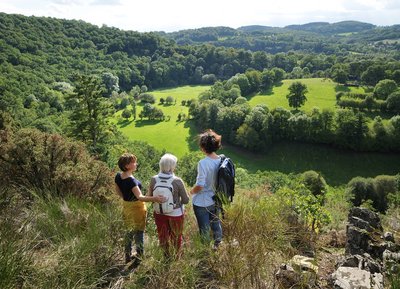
(321, 93)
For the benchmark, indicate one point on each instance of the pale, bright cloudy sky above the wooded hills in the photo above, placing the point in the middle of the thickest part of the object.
(175, 15)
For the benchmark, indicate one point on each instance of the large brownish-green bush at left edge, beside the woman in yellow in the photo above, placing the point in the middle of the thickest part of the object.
(33, 159)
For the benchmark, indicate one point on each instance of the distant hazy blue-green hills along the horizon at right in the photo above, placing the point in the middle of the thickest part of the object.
(348, 35)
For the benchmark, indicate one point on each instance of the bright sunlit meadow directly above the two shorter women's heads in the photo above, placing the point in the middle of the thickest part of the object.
(173, 136)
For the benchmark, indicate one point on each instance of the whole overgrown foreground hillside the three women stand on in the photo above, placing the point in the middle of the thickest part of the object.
(60, 224)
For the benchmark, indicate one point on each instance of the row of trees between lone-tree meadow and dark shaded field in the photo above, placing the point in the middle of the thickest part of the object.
(224, 108)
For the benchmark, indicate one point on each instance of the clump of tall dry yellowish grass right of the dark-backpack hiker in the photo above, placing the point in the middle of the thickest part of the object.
(257, 239)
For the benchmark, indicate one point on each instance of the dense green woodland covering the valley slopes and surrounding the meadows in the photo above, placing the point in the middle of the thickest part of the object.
(42, 60)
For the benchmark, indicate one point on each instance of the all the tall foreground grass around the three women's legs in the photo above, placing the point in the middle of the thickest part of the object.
(74, 243)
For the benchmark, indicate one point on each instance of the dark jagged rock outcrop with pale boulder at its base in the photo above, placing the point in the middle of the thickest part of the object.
(369, 252)
